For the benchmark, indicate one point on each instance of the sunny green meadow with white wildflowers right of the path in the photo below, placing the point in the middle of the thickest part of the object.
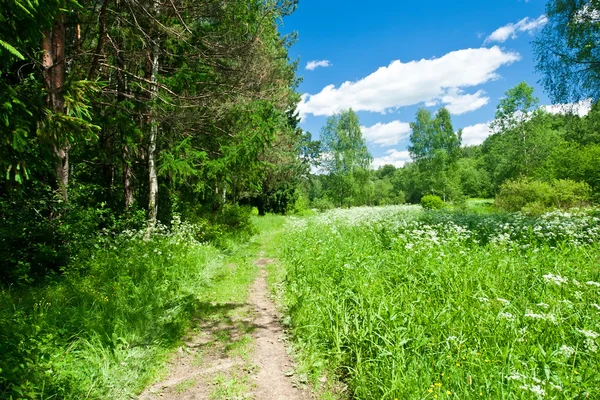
(402, 304)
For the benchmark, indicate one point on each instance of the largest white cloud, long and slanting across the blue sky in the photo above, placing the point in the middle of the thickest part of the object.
(432, 81)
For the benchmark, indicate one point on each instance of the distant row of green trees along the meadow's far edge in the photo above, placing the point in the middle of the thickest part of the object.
(527, 142)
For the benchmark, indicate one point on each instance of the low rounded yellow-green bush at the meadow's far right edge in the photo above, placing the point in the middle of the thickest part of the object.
(535, 197)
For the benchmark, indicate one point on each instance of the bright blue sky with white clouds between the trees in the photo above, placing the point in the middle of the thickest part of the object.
(388, 58)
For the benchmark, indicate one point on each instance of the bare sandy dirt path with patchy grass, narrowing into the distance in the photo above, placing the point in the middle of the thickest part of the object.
(238, 354)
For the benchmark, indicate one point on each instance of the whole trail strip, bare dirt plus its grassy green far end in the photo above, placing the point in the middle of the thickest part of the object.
(237, 348)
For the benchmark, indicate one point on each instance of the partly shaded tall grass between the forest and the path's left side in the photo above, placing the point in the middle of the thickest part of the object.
(102, 329)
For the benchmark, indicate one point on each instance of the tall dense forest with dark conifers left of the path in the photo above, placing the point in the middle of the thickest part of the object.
(121, 110)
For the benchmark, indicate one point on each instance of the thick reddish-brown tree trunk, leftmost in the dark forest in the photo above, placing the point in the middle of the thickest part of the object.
(53, 73)
